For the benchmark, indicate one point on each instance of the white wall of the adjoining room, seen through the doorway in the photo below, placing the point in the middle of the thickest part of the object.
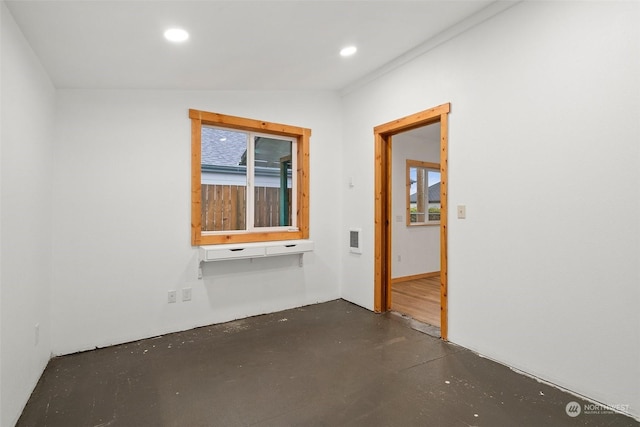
(418, 247)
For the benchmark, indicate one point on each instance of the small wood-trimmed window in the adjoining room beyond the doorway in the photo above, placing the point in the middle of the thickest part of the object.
(423, 193)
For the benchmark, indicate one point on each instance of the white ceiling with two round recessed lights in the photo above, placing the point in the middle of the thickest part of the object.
(233, 45)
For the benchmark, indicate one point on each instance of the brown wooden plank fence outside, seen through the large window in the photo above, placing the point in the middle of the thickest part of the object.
(224, 207)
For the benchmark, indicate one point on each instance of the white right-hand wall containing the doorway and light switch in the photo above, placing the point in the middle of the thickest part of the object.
(544, 131)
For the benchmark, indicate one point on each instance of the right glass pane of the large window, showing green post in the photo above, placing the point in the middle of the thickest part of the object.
(273, 182)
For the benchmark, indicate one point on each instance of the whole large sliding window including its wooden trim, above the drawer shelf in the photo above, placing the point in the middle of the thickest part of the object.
(249, 180)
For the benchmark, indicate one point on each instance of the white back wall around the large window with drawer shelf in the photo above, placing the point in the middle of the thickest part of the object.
(122, 216)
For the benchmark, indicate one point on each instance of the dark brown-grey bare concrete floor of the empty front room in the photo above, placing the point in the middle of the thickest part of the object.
(331, 364)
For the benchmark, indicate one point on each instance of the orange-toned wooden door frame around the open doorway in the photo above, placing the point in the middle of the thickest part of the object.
(384, 209)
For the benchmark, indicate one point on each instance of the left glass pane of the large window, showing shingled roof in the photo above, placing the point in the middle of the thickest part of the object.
(224, 179)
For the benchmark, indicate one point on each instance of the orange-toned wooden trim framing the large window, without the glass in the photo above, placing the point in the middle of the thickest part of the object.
(302, 136)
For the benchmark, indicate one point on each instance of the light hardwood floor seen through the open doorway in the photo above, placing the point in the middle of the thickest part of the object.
(418, 298)
